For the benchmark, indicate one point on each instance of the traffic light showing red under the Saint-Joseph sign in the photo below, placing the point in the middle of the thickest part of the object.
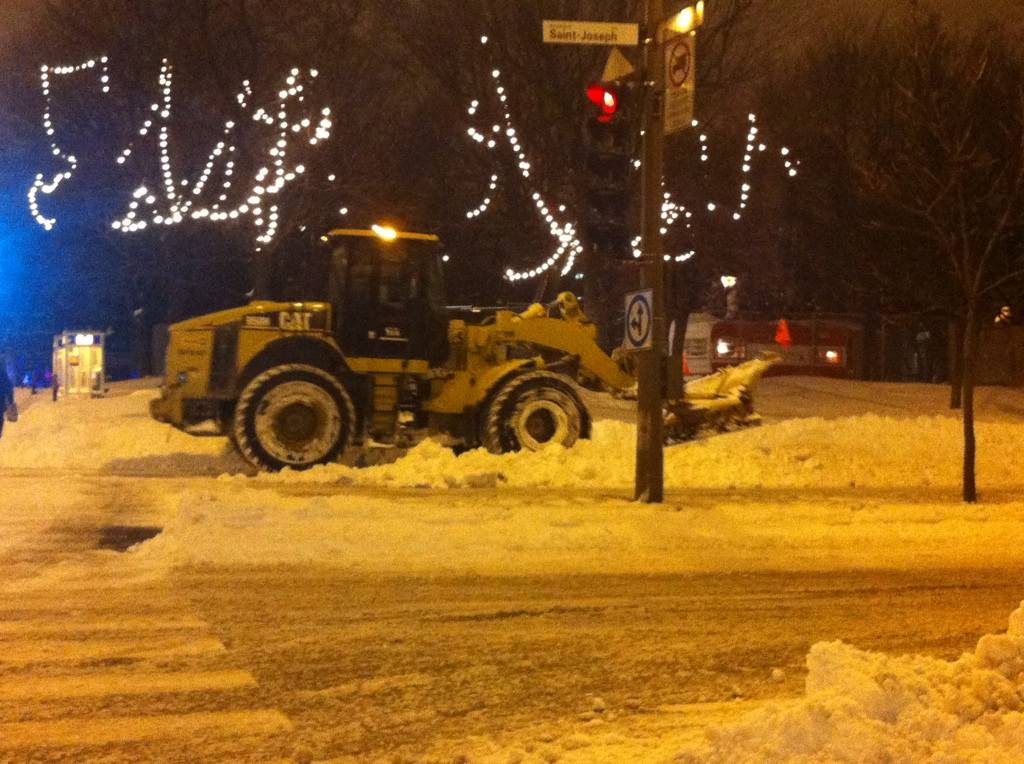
(609, 148)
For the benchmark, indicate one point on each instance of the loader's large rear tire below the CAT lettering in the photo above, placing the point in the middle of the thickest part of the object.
(293, 416)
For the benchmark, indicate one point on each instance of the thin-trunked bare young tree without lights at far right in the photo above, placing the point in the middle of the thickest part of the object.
(946, 164)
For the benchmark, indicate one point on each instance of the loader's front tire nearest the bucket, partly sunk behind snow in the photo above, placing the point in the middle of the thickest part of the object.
(533, 411)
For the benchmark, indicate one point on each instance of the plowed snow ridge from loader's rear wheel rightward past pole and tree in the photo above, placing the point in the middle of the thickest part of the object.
(864, 451)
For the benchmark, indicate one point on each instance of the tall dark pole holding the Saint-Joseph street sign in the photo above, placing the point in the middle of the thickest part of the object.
(651, 464)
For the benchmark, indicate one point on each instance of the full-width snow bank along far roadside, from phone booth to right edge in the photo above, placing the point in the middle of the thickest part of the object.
(117, 435)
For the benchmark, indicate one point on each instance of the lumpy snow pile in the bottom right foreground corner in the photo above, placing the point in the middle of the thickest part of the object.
(869, 707)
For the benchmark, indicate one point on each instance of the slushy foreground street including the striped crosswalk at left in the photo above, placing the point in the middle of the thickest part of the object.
(311, 658)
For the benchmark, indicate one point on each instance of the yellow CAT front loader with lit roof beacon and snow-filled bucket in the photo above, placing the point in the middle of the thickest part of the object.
(379, 361)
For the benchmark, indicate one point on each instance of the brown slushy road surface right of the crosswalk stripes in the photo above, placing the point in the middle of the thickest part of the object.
(584, 668)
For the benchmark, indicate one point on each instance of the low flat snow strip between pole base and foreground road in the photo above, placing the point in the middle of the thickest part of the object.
(531, 531)
